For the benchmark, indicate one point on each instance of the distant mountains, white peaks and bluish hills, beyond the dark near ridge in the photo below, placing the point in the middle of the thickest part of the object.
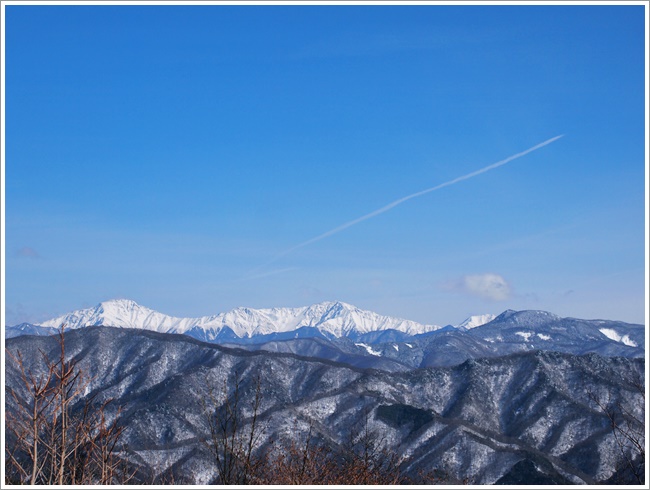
(344, 333)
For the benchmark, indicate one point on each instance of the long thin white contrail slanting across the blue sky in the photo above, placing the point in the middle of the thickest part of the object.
(393, 204)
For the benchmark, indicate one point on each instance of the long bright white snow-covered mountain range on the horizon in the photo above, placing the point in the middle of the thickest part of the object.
(331, 319)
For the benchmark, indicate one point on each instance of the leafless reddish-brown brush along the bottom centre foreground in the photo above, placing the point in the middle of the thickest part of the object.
(242, 456)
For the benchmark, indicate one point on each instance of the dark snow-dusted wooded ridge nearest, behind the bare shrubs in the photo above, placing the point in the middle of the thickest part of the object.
(540, 416)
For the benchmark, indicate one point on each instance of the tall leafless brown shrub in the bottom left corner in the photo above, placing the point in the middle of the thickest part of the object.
(49, 444)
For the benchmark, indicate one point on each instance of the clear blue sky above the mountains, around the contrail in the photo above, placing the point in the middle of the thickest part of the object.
(173, 154)
